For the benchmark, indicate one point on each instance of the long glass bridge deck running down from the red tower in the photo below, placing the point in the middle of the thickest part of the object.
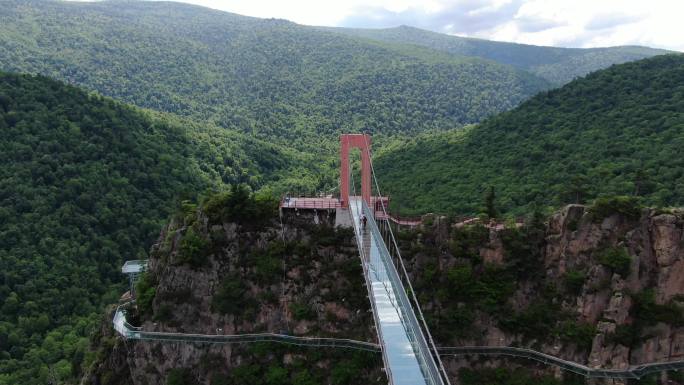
(408, 360)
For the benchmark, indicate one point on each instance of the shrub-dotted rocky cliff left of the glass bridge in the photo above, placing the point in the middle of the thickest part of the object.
(215, 276)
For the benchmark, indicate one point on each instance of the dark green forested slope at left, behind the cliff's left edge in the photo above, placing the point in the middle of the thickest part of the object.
(85, 184)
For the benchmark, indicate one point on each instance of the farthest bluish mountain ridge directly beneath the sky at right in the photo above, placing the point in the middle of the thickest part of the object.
(557, 65)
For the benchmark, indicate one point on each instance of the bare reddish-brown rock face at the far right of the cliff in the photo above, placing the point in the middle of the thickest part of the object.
(615, 302)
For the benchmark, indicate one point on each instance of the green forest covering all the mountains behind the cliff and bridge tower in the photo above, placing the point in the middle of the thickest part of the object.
(217, 99)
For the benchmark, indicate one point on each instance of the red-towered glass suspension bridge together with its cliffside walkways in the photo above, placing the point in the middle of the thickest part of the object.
(410, 356)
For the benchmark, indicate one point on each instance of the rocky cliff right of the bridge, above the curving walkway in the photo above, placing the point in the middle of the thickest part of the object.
(600, 285)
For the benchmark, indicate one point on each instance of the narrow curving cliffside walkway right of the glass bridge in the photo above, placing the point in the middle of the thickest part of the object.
(635, 372)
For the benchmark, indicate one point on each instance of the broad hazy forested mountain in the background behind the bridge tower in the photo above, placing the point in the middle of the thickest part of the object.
(267, 77)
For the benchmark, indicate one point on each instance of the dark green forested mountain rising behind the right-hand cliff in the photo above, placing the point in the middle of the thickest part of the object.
(617, 131)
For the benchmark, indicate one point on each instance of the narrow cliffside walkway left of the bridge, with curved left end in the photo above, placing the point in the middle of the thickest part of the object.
(136, 333)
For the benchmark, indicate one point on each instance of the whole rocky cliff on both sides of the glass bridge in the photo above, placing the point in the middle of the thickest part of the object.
(601, 286)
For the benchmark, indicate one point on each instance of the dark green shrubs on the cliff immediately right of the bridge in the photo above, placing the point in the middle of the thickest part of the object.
(466, 286)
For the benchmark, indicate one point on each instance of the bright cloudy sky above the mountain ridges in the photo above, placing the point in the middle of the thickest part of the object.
(563, 23)
